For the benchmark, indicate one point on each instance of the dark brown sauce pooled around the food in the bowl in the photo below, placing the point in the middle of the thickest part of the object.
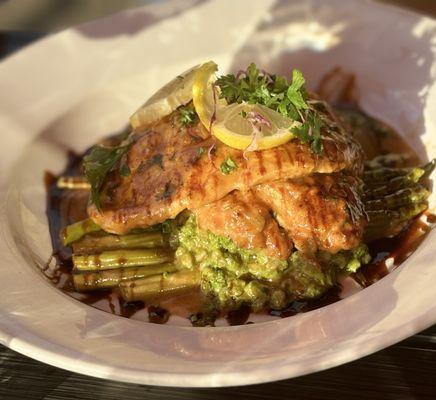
(67, 206)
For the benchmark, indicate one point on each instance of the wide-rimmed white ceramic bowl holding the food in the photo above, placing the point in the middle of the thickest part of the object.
(75, 87)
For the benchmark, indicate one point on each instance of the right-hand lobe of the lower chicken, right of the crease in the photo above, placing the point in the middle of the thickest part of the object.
(320, 212)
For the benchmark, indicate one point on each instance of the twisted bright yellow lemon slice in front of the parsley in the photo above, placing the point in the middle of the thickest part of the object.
(242, 126)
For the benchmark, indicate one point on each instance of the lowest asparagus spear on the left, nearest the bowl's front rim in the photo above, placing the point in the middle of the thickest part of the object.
(158, 285)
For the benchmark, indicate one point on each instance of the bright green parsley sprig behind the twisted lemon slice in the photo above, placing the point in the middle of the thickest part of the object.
(274, 91)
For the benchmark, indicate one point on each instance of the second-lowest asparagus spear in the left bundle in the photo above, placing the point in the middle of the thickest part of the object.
(87, 281)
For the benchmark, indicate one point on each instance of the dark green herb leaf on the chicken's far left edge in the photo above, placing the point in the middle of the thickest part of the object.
(97, 165)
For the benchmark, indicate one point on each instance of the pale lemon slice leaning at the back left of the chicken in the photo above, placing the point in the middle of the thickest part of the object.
(171, 96)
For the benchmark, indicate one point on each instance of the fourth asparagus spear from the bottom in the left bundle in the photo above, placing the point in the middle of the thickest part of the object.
(94, 244)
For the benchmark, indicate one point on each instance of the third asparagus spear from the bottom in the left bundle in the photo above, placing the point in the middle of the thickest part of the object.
(121, 258)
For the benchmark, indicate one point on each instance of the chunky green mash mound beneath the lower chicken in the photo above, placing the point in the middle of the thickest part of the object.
(235, 276)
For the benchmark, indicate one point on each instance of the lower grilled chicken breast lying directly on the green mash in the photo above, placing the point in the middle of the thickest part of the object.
(319, 212)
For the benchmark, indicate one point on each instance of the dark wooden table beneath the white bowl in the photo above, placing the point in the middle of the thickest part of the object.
(406, 370)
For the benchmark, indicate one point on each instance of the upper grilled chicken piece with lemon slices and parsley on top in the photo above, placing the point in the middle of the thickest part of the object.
(175, 168)
